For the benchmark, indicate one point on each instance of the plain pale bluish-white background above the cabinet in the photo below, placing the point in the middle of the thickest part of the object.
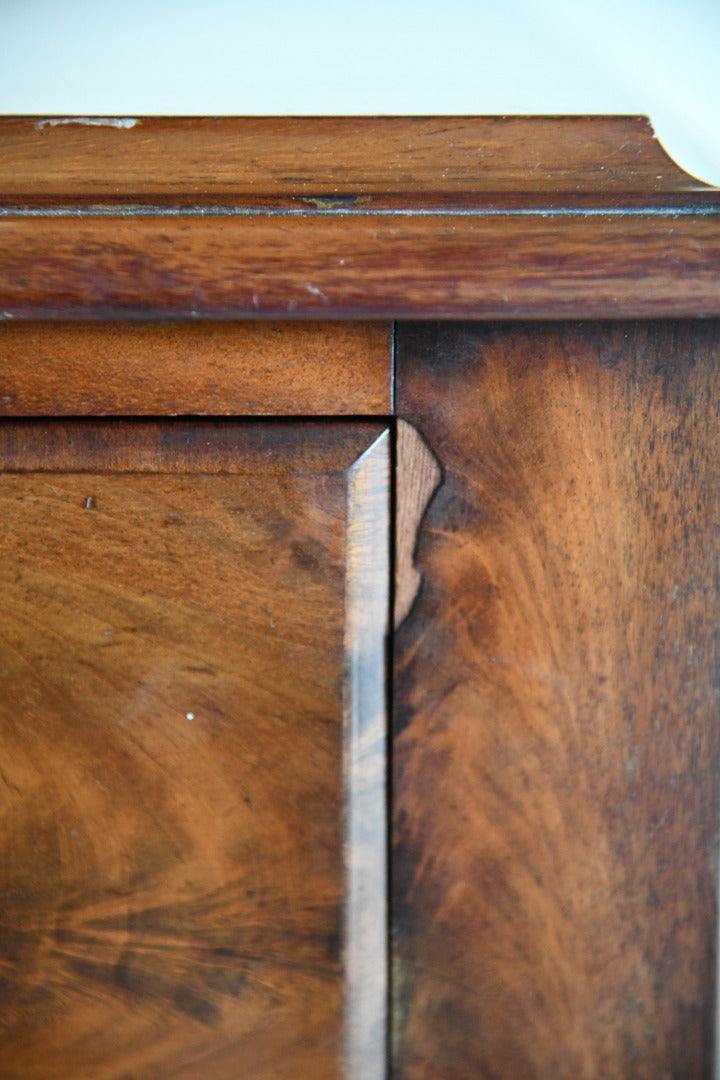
(129, 58)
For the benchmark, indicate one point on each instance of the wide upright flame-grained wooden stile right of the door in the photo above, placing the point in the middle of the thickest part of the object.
(558, 687)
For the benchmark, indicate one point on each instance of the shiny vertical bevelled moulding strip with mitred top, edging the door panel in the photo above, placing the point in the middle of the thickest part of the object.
(368, 601)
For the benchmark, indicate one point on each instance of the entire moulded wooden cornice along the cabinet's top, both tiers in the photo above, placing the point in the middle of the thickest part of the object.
(351, 219)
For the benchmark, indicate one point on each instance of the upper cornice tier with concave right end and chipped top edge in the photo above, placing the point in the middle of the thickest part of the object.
(252, 156)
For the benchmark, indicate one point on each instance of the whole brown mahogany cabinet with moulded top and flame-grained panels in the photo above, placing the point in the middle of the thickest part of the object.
(218, 337)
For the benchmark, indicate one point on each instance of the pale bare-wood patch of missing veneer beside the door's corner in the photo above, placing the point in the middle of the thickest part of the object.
(418, 477)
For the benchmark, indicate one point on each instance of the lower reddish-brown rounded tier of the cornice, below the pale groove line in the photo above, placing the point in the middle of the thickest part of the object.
(364, 266)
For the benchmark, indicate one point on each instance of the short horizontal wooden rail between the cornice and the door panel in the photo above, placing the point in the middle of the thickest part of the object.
(238, 369)
